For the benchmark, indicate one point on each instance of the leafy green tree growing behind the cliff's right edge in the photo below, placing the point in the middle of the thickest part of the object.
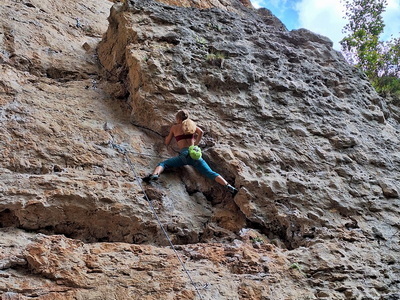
(362, 45)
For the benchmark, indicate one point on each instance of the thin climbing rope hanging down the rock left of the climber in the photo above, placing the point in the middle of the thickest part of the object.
(132, 167)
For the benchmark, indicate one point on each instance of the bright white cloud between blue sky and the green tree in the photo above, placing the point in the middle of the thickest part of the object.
(322, 17)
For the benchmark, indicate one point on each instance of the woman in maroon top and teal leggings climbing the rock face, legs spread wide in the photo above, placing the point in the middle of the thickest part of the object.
(187, 136)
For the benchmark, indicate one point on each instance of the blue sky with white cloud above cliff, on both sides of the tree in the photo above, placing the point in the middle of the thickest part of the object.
(325, 16)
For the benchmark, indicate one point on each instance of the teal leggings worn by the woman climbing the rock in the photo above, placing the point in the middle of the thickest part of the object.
(184, 159)
